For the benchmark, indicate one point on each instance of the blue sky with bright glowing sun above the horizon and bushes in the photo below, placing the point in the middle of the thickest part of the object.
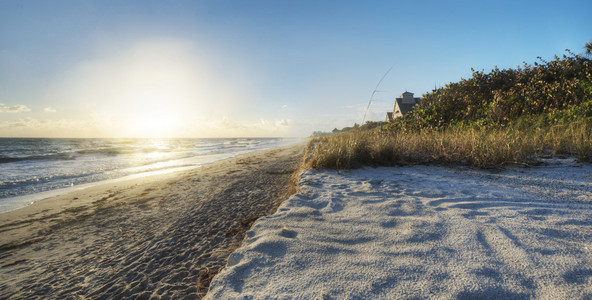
(253, 68)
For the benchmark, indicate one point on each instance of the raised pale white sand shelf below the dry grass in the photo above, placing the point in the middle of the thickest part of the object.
(425, 232)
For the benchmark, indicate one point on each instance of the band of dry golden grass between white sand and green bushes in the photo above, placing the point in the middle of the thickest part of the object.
(484, 148)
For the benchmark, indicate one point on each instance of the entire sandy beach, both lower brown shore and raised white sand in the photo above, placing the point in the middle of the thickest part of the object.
(254, 230)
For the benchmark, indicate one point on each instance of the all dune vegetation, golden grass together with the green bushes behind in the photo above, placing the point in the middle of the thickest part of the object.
(509, 116)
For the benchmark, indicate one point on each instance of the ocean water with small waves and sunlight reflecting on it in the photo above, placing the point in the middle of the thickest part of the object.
(35, 168)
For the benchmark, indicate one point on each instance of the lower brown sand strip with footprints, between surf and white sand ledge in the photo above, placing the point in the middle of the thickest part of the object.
(159, 236)
